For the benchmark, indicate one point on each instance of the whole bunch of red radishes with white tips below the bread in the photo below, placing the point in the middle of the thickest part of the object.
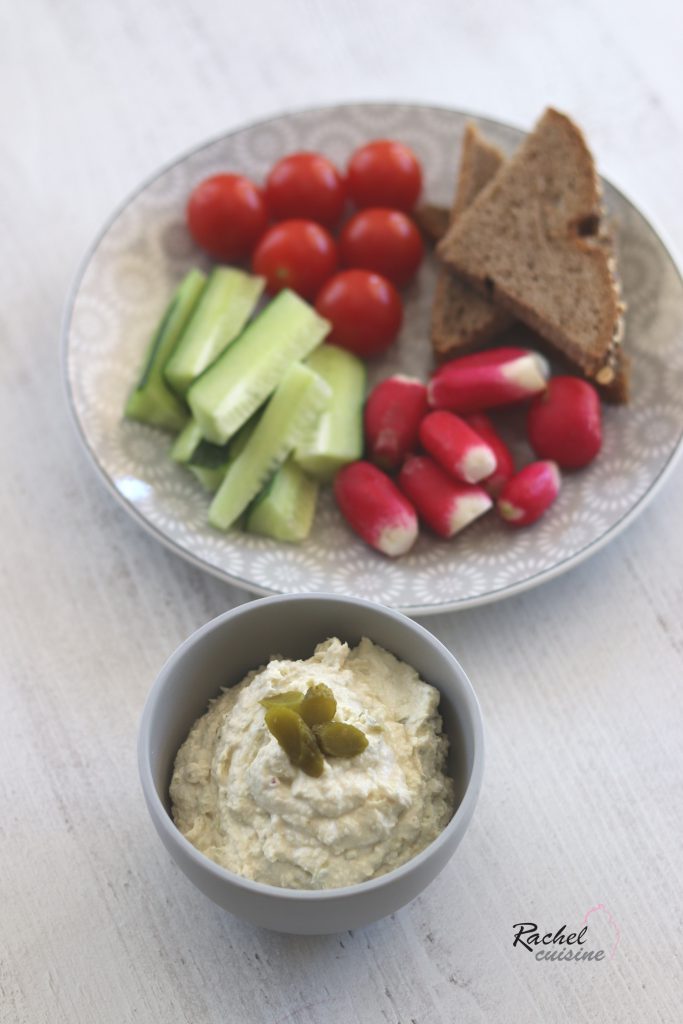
(434, 456)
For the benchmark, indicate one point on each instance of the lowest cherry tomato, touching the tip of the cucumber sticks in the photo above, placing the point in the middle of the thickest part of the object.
(365, 310)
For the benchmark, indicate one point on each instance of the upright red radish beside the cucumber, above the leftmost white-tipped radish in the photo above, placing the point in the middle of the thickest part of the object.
(393, 416)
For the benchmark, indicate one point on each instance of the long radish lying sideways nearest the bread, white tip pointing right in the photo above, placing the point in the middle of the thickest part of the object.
(474, 383)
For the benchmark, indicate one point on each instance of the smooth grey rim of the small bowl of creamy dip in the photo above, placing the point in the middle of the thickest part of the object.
(165, 824)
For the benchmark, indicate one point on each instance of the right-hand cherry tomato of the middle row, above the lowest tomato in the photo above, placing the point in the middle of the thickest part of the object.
(385, 241)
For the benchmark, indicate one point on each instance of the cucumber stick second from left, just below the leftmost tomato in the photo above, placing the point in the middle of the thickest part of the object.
(227, 305)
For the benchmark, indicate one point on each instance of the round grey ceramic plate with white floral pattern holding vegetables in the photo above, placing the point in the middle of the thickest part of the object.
(145, 250)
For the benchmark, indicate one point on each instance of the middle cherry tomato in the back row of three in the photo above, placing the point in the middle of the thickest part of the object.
(309, 186)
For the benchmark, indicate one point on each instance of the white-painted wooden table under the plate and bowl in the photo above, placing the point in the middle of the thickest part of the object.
(580, 680)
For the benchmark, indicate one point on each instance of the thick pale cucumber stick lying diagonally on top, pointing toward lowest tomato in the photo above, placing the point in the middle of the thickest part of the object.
(249, 370)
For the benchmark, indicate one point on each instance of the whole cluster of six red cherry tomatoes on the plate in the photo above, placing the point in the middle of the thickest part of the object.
(352, 280)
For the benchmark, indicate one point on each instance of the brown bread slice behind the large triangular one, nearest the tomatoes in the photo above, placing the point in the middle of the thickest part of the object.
(462, 320)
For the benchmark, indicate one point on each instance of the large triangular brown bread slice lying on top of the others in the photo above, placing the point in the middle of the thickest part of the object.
(533, 243)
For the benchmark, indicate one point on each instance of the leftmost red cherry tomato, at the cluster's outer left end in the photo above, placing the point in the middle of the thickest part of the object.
(227, 216)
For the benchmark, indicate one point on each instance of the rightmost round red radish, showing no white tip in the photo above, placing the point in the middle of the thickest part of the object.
(565, 423)
